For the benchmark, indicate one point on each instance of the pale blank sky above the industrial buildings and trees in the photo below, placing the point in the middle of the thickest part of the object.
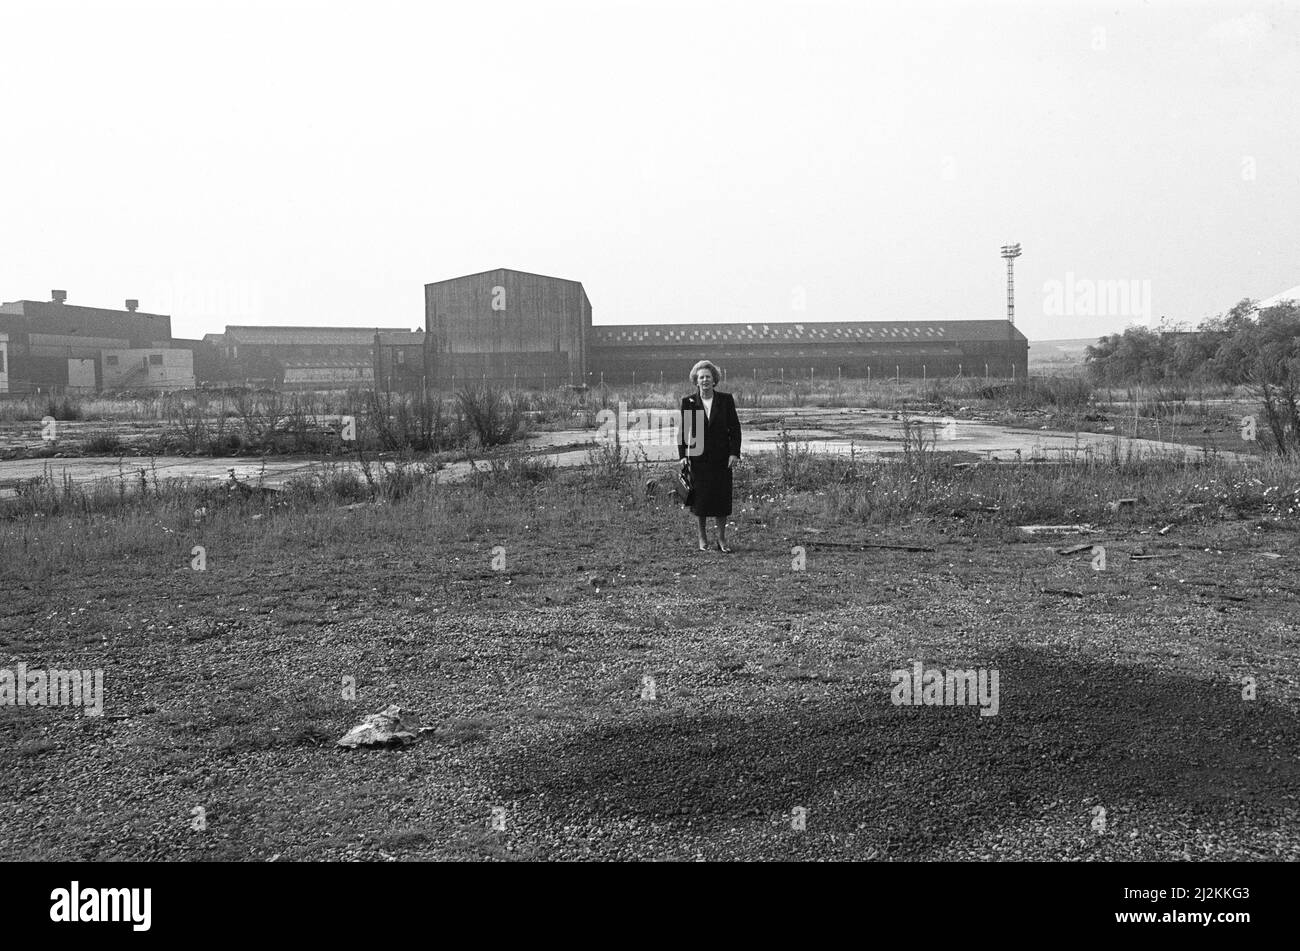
(293, 163)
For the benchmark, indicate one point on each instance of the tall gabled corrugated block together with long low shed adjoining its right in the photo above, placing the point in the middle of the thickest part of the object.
(532, 331)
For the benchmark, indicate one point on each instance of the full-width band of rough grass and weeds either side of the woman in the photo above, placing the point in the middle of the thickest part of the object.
(54, 526)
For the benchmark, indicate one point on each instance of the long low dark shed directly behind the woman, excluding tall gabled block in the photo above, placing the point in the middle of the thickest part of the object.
(942, 349)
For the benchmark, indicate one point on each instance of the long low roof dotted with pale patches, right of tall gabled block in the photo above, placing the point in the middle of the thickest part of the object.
(818, 333)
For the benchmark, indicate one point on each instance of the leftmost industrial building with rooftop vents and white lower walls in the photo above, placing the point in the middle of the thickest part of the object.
(59, 348)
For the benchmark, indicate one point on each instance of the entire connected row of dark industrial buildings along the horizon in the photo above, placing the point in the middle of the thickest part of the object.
(508, 327)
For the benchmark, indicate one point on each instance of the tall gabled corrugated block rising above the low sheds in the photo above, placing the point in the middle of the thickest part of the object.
(509, 327)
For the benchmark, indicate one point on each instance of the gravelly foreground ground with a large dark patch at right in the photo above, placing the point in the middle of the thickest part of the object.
(1123, 732)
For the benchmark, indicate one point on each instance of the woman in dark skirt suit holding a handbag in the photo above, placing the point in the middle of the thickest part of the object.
(712, 431)
